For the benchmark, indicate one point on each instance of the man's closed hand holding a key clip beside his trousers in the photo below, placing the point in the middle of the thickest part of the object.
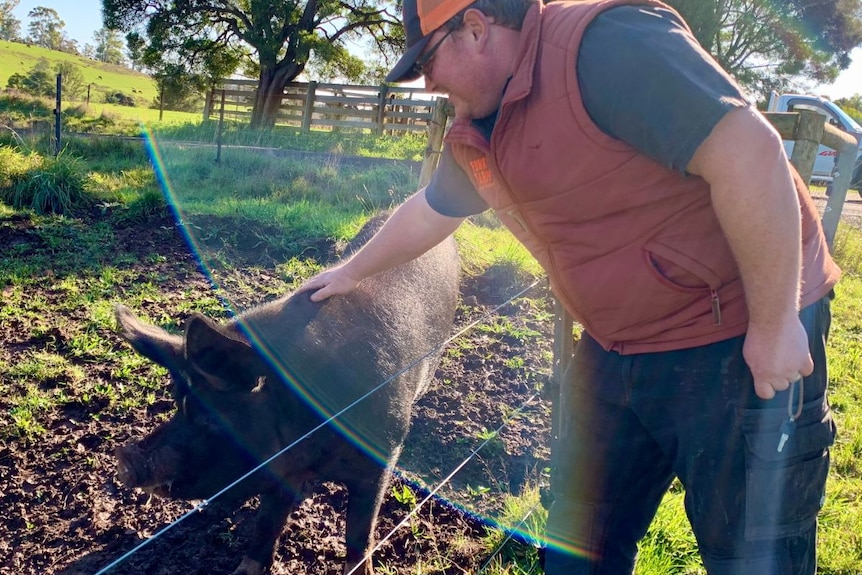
(777, 354)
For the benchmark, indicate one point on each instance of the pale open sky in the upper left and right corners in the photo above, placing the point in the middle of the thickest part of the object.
(84, 17)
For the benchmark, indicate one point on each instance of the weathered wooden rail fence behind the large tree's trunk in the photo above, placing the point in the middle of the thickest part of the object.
(334, 106)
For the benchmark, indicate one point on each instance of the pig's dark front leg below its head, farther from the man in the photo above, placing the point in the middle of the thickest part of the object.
(275, 505)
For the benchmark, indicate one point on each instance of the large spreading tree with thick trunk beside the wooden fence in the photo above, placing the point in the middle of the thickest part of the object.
(273, 39)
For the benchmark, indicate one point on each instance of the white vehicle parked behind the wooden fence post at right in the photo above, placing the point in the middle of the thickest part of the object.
(825, 161)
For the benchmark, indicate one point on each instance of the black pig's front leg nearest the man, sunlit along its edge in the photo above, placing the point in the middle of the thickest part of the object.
(365, 495)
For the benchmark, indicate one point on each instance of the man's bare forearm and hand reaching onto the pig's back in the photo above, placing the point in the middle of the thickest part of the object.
(414, 228)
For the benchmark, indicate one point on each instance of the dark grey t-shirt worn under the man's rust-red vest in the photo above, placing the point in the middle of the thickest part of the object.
(644, 80)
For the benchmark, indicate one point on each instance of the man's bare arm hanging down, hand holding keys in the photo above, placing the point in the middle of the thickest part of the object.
(755, 199)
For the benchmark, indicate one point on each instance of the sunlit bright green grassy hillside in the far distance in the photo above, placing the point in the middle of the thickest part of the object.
(103, 78)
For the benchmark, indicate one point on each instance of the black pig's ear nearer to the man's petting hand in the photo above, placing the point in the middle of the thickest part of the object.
(225, 361)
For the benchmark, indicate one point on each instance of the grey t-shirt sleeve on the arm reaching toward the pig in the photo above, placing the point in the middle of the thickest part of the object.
(450, 192)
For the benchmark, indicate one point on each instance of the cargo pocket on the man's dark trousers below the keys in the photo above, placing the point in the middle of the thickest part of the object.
(785, 491)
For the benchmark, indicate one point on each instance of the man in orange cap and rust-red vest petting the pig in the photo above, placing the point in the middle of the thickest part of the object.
(672, 227)
